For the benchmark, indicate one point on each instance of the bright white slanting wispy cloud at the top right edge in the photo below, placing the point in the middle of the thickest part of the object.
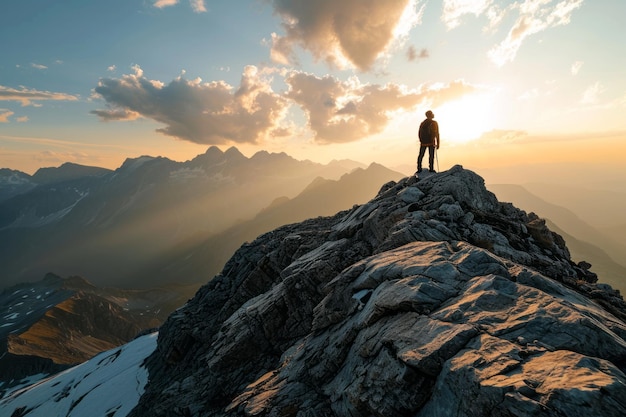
(534, 17)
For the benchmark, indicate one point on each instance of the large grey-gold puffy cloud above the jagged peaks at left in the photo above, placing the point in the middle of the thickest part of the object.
(192, 110)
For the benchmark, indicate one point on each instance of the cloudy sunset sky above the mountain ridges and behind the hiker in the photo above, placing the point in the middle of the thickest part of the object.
(510, 82)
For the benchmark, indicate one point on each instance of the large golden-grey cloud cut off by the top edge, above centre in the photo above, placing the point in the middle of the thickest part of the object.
(342, 33)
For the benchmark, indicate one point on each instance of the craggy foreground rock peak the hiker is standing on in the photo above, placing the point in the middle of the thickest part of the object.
(433, 299)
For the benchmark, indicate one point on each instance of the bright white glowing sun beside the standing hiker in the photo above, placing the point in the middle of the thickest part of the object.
(465, 119)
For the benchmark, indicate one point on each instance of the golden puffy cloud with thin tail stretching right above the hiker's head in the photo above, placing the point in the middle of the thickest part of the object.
(340, 112)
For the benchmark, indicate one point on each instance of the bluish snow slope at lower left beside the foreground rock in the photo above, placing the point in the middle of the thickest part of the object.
(109, 384)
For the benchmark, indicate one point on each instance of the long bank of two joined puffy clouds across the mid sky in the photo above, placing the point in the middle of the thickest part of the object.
(217, 113)
